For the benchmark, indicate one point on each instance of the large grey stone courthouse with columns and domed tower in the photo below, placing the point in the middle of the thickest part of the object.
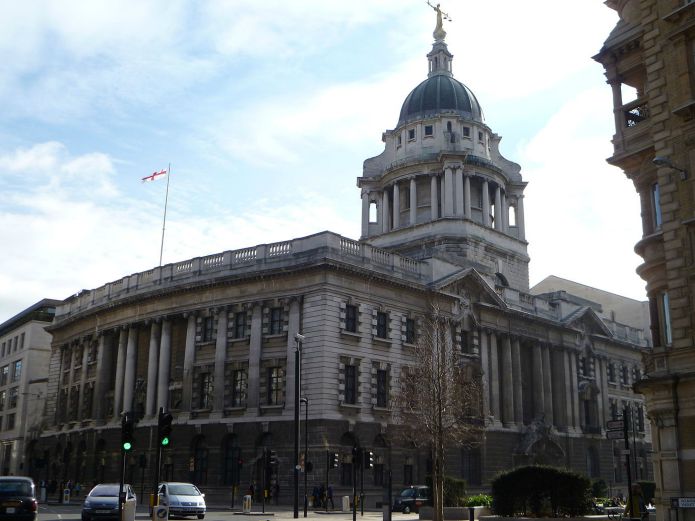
(213, 339)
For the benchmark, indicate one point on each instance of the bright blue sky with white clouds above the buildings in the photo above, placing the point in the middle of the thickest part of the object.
(265, 112)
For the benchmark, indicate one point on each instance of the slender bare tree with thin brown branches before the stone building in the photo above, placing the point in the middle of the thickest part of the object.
(440, 398)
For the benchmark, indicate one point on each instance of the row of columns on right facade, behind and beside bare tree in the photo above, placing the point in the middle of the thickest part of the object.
(552, 385)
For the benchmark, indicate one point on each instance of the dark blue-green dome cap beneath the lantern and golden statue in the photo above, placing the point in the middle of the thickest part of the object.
(440, 94)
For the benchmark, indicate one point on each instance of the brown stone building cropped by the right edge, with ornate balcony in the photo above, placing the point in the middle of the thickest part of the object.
(650, 54)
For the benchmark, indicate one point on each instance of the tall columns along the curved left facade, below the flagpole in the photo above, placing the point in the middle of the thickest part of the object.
(122, 378)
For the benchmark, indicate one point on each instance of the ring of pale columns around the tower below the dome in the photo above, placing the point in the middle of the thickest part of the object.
(453, 186)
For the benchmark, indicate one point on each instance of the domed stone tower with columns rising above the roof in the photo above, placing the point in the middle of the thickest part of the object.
(441, 187)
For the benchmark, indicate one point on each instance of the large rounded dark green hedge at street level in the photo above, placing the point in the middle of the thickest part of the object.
(541, 491)
